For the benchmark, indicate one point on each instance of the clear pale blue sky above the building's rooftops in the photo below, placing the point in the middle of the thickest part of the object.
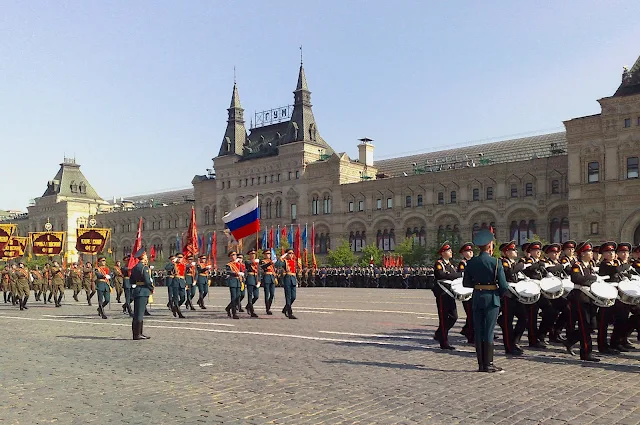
(137, 91)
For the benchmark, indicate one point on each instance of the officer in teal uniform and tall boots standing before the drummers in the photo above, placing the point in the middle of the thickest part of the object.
(485, 275)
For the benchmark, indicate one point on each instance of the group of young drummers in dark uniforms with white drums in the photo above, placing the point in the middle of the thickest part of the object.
(580, 288)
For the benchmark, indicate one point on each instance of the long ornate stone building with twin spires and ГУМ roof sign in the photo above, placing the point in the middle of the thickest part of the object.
(578, 184)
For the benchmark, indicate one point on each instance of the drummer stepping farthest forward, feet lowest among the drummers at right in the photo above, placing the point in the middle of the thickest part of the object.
(582, 274)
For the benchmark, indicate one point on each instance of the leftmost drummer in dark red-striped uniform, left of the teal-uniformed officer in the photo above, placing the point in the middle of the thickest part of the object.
(447, 312)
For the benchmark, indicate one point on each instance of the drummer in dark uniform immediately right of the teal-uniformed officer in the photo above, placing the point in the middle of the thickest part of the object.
(511, 308)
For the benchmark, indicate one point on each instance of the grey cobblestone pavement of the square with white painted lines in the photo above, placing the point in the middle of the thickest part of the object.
(355, 356)
